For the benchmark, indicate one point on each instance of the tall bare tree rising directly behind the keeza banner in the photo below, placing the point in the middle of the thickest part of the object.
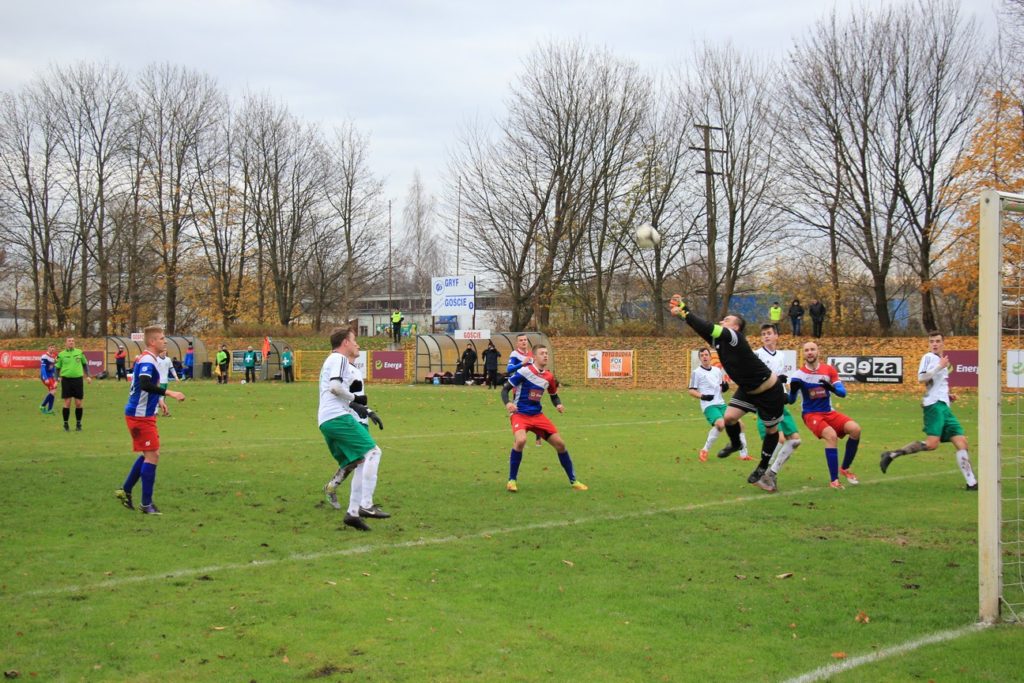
(844, 73)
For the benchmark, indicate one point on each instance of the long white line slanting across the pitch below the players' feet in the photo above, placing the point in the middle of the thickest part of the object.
(423, 543)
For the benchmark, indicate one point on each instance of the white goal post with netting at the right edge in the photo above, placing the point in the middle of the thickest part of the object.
(1001, 410)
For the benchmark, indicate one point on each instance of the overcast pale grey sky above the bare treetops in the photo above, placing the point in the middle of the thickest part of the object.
(410, 74)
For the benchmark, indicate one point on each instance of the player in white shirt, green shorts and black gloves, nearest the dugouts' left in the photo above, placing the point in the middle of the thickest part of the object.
(339, 415)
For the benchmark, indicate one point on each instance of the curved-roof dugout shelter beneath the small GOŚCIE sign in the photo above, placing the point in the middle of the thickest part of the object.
(439, 355)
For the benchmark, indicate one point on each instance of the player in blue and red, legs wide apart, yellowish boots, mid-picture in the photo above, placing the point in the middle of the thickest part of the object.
(529, 385)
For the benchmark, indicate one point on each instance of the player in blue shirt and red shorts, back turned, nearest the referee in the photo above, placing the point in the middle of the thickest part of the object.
(141, 415)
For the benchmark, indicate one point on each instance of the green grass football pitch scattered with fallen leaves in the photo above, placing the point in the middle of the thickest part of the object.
(667, 569)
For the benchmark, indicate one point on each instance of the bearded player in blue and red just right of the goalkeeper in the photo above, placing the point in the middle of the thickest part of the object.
(815, 382)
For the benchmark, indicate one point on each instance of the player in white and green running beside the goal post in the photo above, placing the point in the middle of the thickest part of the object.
(941, 423)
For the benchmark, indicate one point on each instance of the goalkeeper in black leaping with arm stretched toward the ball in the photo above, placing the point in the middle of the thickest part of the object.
(759, 390)
